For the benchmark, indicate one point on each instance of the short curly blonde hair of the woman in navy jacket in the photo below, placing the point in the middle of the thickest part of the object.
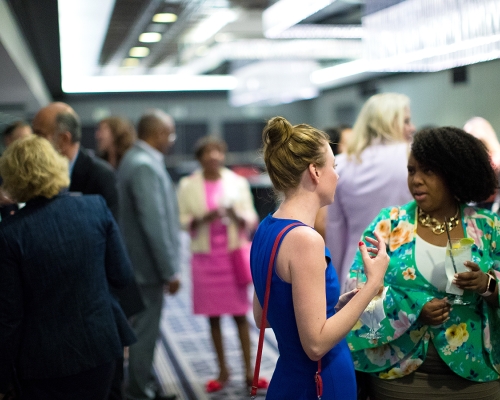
(31, 167)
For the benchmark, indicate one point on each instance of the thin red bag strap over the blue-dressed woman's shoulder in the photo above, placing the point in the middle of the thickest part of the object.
(272, 259)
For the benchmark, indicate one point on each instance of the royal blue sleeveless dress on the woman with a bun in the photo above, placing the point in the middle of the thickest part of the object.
(294, 375)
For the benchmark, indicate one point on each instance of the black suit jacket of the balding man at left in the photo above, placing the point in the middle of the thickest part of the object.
(91, 175)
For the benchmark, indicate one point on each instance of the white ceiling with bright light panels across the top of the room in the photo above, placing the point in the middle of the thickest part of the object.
(315, 48)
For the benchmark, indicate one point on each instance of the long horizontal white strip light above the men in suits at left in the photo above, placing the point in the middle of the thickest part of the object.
(148, 83)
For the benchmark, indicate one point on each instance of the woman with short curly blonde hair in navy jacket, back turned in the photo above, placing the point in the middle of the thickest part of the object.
(61, 330)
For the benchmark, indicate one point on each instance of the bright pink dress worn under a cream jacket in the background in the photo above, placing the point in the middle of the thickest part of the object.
(215, 291)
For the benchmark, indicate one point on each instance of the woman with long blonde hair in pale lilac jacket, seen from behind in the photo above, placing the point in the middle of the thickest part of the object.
(372, 175)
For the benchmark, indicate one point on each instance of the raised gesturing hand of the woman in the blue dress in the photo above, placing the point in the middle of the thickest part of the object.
(375, 266)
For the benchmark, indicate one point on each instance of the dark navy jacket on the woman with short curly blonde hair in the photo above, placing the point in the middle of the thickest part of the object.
(58, 258)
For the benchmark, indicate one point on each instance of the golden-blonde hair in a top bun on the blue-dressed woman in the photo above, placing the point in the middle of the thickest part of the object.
(289, 150)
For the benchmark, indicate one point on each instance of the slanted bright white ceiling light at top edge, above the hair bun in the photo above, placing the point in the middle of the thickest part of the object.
(286, 13)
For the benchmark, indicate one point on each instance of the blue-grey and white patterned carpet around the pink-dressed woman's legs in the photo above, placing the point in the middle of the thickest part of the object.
(185, 359)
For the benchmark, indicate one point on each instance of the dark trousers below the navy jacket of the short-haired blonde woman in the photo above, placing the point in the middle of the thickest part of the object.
(93, 384)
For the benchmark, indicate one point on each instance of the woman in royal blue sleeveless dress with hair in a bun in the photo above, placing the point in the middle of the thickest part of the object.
(304, 308)
